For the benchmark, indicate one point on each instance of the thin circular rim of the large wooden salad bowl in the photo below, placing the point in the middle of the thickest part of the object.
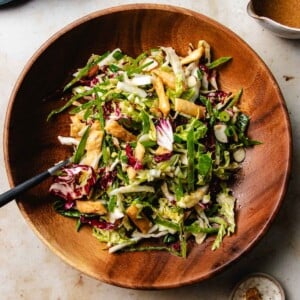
(112, 10)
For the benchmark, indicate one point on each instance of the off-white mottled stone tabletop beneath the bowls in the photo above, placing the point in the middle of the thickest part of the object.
(29, 270)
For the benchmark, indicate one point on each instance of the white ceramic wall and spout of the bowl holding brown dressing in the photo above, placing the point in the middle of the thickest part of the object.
(275, 27)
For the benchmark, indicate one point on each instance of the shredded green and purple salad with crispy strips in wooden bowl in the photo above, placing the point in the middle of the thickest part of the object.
(156, 146)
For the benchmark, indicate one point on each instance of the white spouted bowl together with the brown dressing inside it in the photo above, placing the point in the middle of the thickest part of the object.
(281, 17)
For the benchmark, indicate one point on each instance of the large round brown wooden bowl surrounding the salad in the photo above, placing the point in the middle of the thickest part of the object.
(31, 143)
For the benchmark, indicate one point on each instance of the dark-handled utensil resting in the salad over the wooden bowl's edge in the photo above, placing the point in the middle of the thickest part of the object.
(24, 186)
